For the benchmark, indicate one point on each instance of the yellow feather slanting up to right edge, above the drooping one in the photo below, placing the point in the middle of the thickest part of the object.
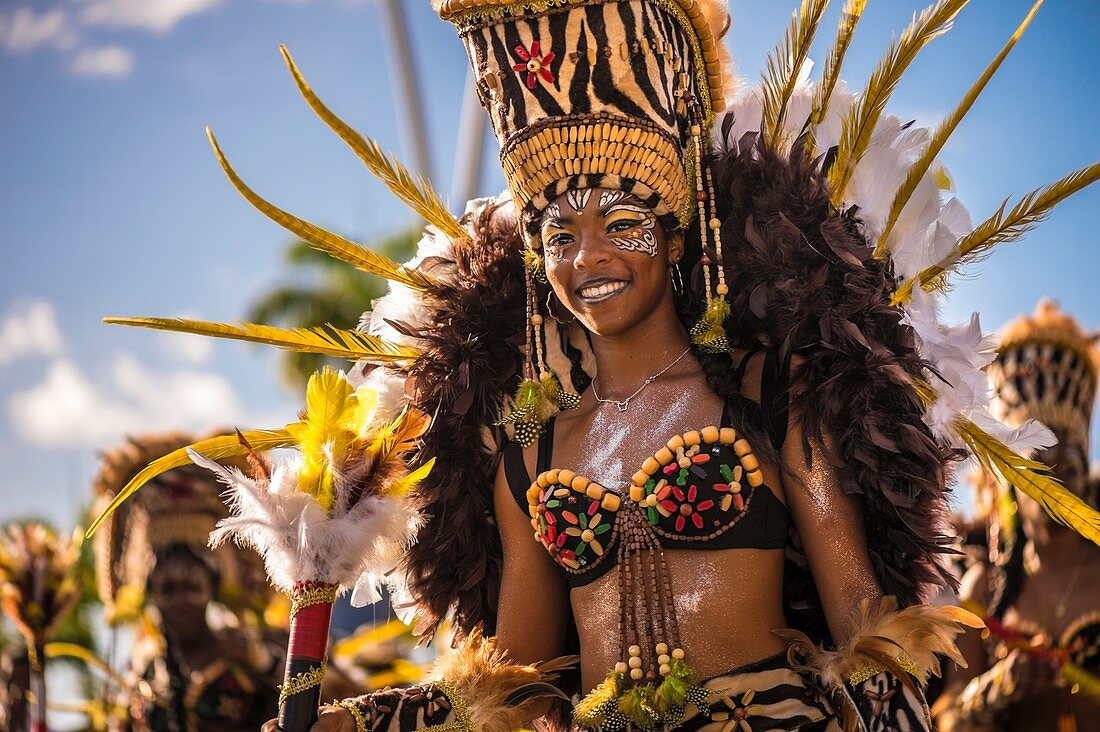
(1000, 228)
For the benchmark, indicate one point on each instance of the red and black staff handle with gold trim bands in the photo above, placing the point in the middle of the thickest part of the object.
(307, 655)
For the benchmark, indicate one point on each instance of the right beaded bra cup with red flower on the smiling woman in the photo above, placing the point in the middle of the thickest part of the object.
(698, 484)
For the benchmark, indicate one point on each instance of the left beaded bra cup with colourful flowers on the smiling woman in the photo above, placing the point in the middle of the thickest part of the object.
(574, 518)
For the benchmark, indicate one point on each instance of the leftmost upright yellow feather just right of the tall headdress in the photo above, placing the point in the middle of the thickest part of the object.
(784, 65)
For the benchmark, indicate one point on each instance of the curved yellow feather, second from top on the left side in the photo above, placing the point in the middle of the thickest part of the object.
(321, 239)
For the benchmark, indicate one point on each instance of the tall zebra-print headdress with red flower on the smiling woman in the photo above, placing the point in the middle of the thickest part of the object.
(611, 94)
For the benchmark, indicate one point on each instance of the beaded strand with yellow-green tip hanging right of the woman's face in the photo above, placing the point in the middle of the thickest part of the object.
(710, 332)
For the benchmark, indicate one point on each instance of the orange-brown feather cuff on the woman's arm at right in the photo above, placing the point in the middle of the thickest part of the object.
(904, 642)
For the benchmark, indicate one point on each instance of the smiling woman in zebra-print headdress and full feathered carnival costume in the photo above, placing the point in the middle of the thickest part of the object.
(733, 405)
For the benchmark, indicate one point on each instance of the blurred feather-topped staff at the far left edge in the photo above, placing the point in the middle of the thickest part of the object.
(38, 587)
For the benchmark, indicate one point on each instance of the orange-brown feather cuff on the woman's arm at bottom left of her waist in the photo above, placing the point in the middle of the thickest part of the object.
(486, 681)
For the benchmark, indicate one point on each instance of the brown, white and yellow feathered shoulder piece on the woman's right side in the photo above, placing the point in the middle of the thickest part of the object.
(842, 234)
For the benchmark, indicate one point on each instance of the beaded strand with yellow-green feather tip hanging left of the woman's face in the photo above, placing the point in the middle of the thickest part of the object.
(541, 391)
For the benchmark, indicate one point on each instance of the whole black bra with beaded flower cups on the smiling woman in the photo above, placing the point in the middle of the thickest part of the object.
(702, 490)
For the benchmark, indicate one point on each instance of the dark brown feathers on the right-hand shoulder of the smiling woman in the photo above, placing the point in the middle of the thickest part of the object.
(802, 279)
